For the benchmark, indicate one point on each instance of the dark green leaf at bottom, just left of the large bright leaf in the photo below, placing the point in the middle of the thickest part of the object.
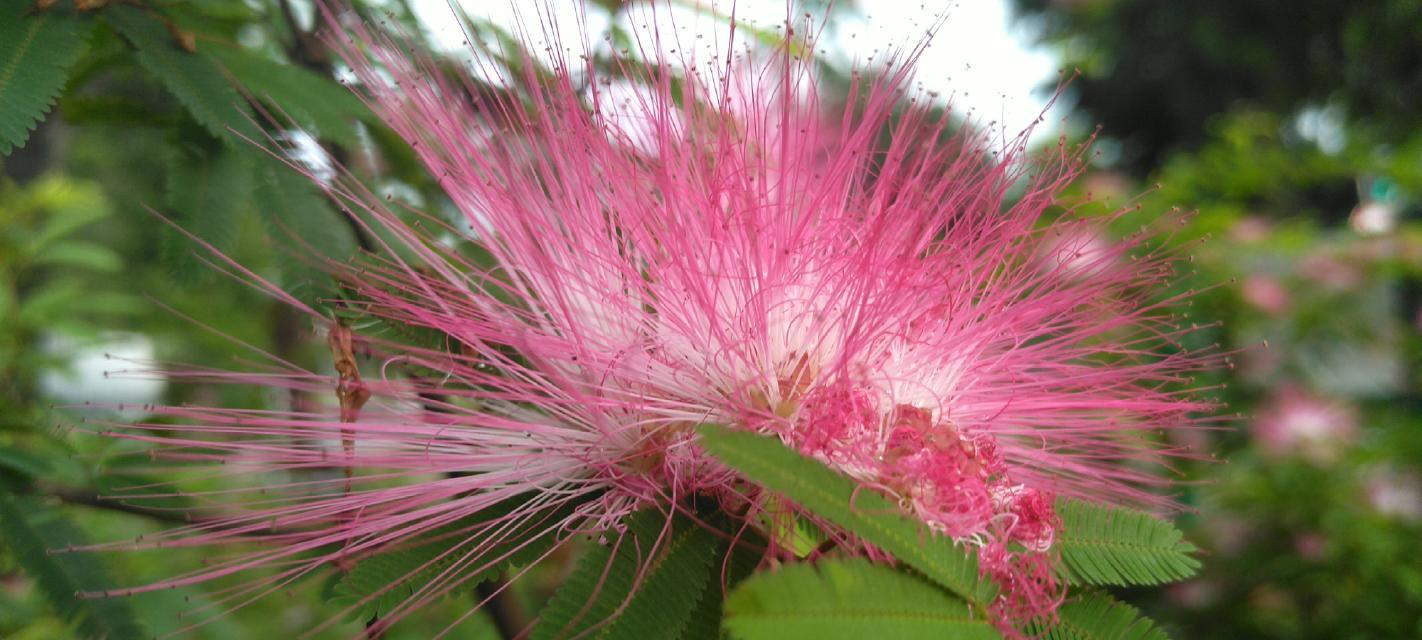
(676, 572)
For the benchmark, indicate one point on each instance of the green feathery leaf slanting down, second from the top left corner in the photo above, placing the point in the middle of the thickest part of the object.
(193, 78)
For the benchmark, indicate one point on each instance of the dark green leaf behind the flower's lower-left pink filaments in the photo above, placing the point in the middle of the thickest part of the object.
(383, 582)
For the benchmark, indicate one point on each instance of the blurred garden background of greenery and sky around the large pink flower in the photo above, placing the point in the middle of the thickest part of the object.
(1290, 127)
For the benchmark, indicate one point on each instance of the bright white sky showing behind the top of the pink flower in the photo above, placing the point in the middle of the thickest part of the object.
(978, 59)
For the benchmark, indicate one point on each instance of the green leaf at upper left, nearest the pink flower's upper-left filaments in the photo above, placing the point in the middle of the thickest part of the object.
(318, 103)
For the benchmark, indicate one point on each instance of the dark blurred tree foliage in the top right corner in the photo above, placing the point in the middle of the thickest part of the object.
(1155, 76)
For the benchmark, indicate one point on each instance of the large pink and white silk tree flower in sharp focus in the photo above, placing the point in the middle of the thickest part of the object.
(746, 255)
